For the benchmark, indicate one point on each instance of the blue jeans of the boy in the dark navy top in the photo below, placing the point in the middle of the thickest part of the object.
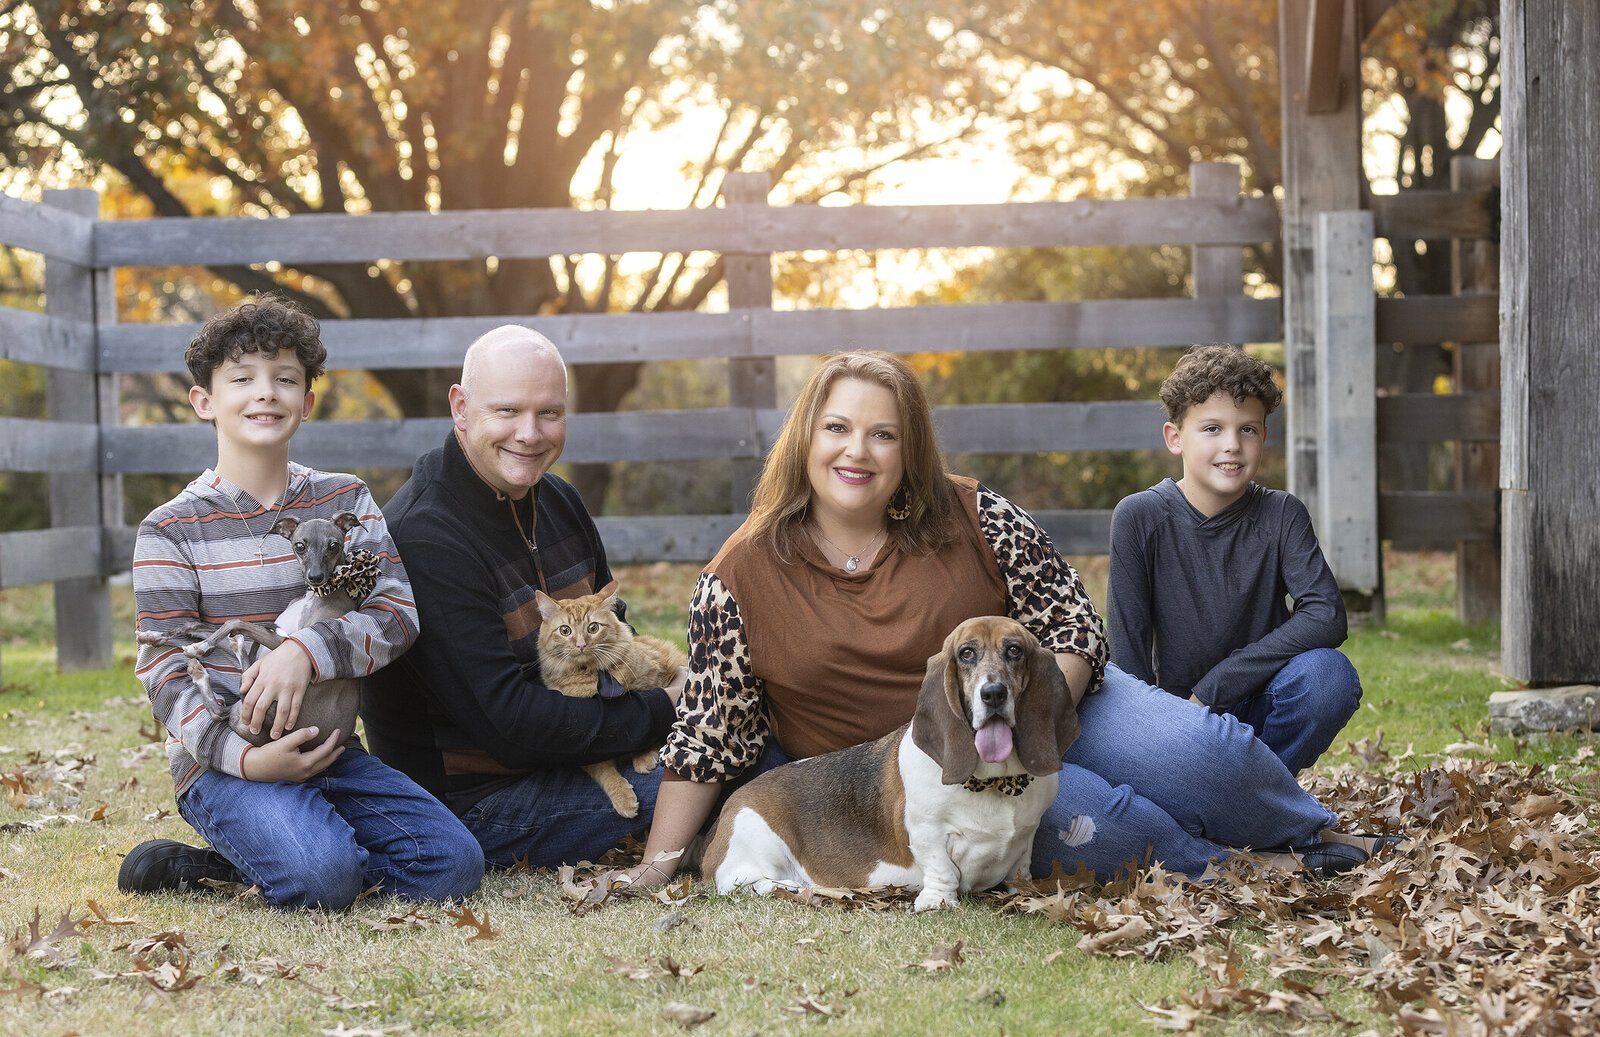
(1305, 708)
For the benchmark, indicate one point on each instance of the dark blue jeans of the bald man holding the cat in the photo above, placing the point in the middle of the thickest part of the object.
(558, 817)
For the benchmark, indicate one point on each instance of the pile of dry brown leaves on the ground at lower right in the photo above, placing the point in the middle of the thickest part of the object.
(1487, 921)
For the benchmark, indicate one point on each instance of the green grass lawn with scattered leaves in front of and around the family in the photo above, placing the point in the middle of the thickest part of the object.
(551, 972)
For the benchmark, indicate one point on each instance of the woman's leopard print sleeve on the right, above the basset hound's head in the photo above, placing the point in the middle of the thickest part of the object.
(1044, 591)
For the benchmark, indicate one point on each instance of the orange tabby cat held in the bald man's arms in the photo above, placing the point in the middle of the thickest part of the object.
(583, 636)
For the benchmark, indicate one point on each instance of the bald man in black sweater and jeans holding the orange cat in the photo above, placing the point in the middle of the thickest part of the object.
(482, 524)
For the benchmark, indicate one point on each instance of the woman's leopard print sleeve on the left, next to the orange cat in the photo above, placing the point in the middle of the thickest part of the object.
(721, 729)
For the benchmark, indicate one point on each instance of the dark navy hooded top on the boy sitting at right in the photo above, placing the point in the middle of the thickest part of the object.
(1202, 606)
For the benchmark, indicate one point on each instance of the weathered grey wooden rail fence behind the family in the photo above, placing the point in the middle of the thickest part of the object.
(87, 450)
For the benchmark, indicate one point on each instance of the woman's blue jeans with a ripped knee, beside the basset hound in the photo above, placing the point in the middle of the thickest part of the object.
(1159, 779)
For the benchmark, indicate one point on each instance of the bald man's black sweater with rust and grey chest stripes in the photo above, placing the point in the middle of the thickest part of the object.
(463, 713)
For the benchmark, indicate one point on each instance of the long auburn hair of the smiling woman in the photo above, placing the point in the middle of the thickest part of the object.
(783, 497)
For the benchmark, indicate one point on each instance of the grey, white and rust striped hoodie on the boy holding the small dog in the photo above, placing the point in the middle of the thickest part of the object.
(196, 559)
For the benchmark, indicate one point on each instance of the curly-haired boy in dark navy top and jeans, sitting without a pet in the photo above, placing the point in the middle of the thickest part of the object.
(1218, 588)
